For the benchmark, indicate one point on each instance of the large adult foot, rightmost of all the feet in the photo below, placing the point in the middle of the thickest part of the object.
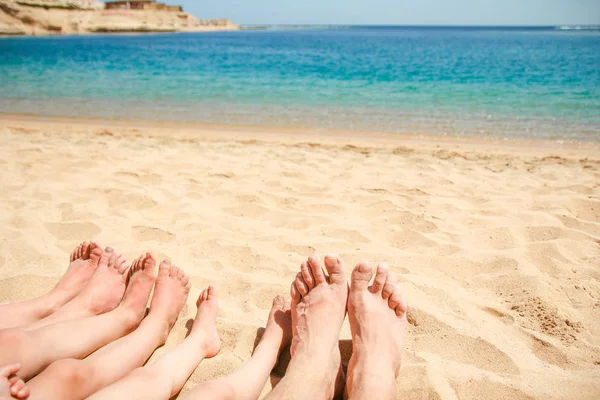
(377, 315)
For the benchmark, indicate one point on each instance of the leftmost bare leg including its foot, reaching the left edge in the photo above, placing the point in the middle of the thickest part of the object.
(84, 260)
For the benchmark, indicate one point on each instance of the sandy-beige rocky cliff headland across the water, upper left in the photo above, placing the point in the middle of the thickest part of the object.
(44, 17)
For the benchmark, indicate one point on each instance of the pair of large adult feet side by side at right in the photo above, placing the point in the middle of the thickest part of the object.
(377, 314)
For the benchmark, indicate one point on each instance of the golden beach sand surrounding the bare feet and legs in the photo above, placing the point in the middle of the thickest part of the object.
(496, 244)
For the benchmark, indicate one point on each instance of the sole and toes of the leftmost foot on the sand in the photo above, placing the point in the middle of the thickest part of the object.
(83, 263)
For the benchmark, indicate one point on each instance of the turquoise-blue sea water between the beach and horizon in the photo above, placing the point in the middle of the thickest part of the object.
(458, 81)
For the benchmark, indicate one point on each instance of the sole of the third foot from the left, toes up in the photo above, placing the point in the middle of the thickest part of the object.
(142, 276)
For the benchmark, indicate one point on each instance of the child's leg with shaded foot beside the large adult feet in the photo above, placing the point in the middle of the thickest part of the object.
(247, 382)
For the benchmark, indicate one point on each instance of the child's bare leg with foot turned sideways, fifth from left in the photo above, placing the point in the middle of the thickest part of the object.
(167, 376)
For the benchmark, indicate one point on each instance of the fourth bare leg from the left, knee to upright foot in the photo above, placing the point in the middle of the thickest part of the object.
(77, 379)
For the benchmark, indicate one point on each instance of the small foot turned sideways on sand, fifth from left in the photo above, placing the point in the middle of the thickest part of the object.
(205, 323)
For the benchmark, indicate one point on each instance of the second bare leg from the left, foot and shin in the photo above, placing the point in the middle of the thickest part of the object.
(102, 294)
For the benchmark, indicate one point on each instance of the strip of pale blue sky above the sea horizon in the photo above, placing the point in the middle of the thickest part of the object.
(398, 12)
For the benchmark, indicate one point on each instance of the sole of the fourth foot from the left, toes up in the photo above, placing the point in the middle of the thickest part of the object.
(170, 293)
